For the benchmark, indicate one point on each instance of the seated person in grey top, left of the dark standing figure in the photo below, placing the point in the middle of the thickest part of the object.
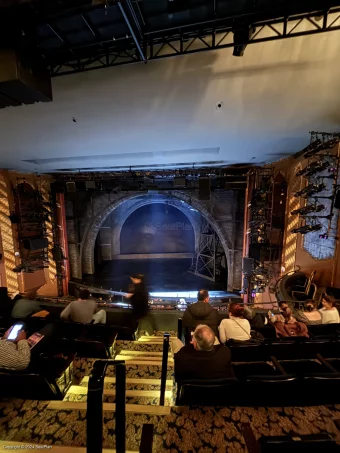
(83, 310)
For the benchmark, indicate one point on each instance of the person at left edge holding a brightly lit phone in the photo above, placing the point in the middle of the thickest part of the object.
(15, 353)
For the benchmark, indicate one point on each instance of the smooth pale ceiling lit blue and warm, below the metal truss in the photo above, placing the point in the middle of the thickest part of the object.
(165, 112)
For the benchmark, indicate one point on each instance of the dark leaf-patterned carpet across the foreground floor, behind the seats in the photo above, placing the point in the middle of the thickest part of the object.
(186, 430)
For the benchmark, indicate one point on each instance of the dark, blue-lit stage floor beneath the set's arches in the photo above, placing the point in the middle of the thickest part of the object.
(162, 275)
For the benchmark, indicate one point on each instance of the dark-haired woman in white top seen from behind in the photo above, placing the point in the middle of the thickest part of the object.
(236, 327)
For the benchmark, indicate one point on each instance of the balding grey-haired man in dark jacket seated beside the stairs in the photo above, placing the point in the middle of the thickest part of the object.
(201, 359)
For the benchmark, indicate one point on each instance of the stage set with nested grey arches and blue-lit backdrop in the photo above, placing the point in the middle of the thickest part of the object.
(173, 227)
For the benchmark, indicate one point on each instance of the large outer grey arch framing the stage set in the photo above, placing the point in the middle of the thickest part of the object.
(91, 230)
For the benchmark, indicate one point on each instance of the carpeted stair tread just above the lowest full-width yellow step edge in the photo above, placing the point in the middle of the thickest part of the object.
(78, 393)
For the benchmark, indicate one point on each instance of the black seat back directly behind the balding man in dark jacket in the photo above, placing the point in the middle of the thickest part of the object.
(212, 392)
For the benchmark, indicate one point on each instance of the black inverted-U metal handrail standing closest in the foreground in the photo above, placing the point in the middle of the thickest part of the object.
(94, 416)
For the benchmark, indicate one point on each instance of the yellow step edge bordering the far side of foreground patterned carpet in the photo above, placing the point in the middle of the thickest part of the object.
(111, 407)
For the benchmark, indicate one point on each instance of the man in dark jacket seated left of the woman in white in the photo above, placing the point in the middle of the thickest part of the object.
(201, 312)
